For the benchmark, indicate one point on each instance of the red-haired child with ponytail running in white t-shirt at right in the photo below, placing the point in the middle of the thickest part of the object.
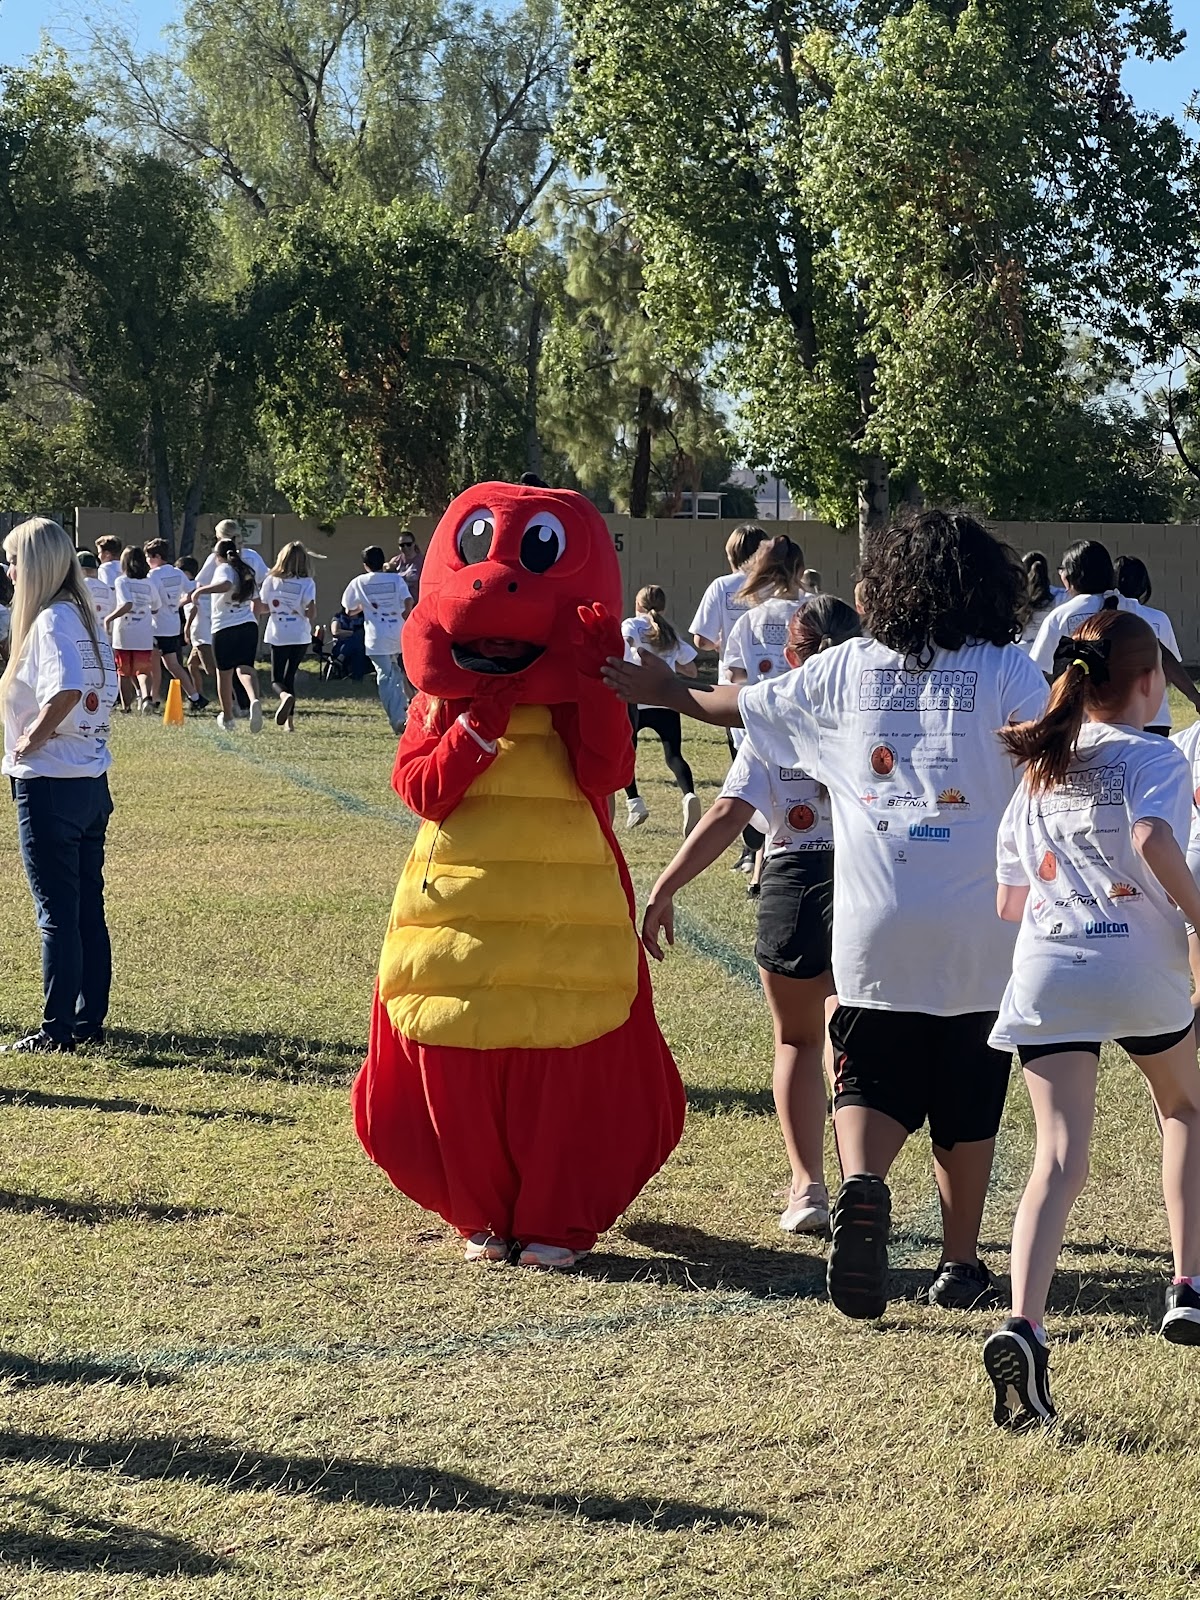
(1097, 833)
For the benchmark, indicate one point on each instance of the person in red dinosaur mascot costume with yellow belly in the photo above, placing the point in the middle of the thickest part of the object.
(516, 1082)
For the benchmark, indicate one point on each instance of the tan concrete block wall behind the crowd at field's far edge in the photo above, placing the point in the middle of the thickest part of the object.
(686, 556)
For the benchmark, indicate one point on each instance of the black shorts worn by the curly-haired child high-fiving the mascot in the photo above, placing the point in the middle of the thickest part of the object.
(918, 1068)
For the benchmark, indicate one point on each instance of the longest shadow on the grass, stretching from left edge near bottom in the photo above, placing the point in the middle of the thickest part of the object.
(338, 1481)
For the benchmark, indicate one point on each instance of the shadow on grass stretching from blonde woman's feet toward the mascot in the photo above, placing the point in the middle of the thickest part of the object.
(242, 1055)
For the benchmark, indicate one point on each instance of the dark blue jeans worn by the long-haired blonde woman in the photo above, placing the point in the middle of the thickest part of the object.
(62, 825)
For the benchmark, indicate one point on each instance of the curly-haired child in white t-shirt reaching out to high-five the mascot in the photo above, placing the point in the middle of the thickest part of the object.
(902, 730)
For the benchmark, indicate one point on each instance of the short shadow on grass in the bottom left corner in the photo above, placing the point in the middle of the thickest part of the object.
(108, 1546)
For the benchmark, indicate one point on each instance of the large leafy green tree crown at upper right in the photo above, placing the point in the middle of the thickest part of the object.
(887, 215)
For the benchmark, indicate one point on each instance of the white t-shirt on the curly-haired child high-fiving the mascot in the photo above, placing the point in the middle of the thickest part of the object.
(919, 783)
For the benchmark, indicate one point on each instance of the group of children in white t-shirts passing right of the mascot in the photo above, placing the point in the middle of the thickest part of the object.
(978, 844)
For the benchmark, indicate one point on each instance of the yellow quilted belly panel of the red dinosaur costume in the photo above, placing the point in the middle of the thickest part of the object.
(510, 926)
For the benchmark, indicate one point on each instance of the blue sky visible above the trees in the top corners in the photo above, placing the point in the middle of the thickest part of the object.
(1154, 86)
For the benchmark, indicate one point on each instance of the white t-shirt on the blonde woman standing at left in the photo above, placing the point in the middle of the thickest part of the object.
(60, 655)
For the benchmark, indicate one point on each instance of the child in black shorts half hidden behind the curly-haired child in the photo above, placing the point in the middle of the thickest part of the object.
(796, 916)
